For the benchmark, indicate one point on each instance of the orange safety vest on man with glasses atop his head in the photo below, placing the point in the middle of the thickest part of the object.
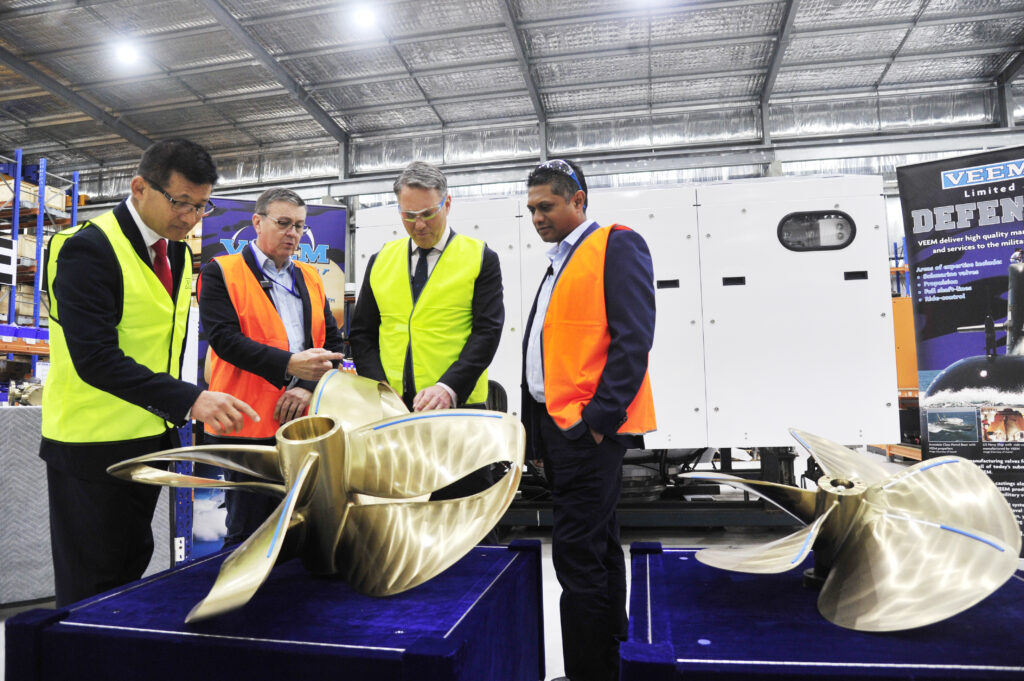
(577, 339)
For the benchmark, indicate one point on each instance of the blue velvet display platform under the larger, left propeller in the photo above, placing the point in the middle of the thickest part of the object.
(482, 619)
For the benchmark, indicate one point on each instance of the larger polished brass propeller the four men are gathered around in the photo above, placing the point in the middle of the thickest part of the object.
(357, 478)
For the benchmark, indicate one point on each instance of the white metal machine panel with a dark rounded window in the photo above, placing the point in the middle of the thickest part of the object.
(798, 345)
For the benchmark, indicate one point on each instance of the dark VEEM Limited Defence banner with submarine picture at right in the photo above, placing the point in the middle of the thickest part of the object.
(964, 221)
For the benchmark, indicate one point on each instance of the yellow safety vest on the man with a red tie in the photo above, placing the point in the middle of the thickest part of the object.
(152, 331)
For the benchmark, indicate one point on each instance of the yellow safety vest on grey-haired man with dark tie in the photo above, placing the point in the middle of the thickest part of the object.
(442, 320)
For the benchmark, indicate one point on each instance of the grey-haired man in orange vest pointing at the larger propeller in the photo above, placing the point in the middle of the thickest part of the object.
(272, 336)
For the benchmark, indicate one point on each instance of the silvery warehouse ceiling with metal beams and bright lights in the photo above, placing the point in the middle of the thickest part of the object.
(572, 75)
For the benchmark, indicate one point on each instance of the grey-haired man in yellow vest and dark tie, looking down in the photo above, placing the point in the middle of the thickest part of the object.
(430, 315)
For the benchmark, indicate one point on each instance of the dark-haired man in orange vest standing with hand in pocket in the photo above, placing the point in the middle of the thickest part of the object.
(587, 399)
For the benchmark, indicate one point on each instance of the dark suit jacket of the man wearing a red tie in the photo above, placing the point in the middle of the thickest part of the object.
(90, 290)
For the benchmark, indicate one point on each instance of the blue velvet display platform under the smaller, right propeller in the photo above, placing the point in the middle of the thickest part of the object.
(689, 621)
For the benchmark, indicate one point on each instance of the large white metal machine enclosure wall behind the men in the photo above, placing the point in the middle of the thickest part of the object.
(752, 337)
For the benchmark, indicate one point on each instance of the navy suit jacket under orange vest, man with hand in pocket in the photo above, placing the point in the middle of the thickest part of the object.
(629, 299)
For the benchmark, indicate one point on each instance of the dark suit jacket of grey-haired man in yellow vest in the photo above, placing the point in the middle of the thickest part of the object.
(489, 319)
